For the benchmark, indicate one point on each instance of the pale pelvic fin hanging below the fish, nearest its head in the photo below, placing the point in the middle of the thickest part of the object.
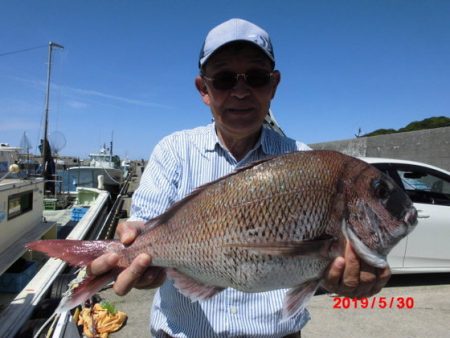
(297, 298)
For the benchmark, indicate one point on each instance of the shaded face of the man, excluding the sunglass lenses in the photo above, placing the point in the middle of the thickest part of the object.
(239, 112)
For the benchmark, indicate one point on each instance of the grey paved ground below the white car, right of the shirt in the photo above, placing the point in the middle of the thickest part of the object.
(429, 317)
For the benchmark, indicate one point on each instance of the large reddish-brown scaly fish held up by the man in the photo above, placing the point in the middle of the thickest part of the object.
(275, 224)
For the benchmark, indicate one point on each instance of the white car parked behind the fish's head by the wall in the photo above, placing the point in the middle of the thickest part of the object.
(426, 248)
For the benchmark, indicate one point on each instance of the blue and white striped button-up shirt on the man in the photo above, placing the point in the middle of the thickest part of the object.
(179, 163)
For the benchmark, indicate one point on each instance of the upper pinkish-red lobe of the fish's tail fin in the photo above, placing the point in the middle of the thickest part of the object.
(75, 252)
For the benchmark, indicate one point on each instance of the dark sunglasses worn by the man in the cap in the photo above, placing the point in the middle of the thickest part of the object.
(226, 80)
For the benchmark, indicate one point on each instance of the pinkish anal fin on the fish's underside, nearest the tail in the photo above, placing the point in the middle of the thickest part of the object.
(191, 288)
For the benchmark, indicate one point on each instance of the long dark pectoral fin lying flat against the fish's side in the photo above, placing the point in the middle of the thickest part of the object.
(311, 248)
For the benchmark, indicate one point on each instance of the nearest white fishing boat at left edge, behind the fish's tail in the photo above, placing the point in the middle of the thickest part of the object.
(27, 279)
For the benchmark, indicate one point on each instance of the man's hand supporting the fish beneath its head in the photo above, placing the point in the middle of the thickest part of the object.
(349, 276)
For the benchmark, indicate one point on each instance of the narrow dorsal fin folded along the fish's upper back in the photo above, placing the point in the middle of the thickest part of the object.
(165, 216)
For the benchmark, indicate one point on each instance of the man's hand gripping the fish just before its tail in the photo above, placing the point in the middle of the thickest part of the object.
(139, 274)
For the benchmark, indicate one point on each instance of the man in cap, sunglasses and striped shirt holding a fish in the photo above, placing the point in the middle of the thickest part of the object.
(237, 81)
